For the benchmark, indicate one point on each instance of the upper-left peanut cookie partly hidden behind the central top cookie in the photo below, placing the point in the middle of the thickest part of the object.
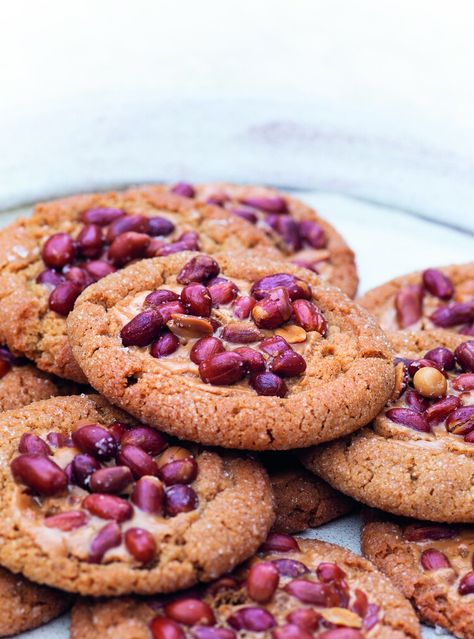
(47, 259)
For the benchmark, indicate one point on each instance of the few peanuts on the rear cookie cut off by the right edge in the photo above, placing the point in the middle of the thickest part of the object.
(409, 303)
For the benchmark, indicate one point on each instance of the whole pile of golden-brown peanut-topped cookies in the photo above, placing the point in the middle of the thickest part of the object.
(216, 334)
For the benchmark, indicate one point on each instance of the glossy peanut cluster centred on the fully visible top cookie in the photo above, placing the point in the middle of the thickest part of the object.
(277, 313)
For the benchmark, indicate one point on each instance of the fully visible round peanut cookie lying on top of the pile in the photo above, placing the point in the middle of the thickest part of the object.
(255, 354)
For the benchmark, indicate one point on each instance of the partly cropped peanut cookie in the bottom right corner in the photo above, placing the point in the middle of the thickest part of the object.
(431, 565)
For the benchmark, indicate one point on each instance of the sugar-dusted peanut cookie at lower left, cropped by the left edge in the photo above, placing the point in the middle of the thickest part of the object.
(108, 507)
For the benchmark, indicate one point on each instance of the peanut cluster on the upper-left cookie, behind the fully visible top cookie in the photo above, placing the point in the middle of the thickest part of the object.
(108, 240)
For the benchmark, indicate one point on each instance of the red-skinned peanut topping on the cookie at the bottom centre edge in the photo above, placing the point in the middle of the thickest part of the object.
(288, 598)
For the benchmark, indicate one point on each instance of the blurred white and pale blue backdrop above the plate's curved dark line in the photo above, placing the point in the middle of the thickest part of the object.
(371, 100)
